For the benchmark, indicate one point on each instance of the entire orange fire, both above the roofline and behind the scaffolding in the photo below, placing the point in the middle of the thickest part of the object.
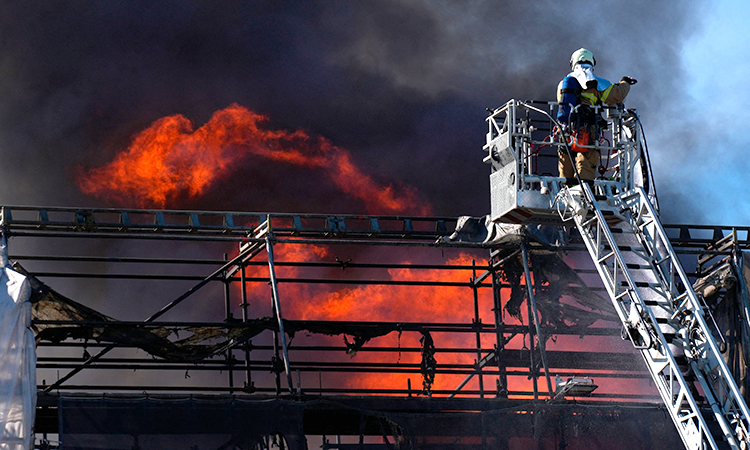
(171, 160)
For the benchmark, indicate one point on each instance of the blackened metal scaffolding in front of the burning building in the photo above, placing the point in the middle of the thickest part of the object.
(240, 278)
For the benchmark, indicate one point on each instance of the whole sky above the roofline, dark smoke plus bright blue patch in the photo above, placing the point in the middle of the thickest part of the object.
(398, 87)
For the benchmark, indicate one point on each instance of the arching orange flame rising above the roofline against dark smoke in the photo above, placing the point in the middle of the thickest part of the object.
(172, 158)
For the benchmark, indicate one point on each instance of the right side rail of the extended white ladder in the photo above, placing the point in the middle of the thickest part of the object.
(728, 394)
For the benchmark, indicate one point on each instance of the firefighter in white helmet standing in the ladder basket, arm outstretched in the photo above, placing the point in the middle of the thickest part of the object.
(575, 93)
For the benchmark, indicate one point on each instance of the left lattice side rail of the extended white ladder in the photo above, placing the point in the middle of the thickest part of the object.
(663, 367)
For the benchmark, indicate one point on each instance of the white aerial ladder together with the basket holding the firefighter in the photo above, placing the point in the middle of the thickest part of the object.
(617, 218)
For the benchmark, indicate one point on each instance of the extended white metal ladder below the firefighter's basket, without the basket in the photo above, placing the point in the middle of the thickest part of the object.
(661, 314)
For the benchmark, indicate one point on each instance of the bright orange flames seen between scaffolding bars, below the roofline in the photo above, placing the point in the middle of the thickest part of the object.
(382, 303)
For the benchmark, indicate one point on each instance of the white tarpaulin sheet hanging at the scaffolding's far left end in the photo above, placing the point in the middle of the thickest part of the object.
(17, 359)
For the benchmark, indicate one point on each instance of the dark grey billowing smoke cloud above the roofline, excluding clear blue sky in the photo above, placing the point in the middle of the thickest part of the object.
(401, 85)
